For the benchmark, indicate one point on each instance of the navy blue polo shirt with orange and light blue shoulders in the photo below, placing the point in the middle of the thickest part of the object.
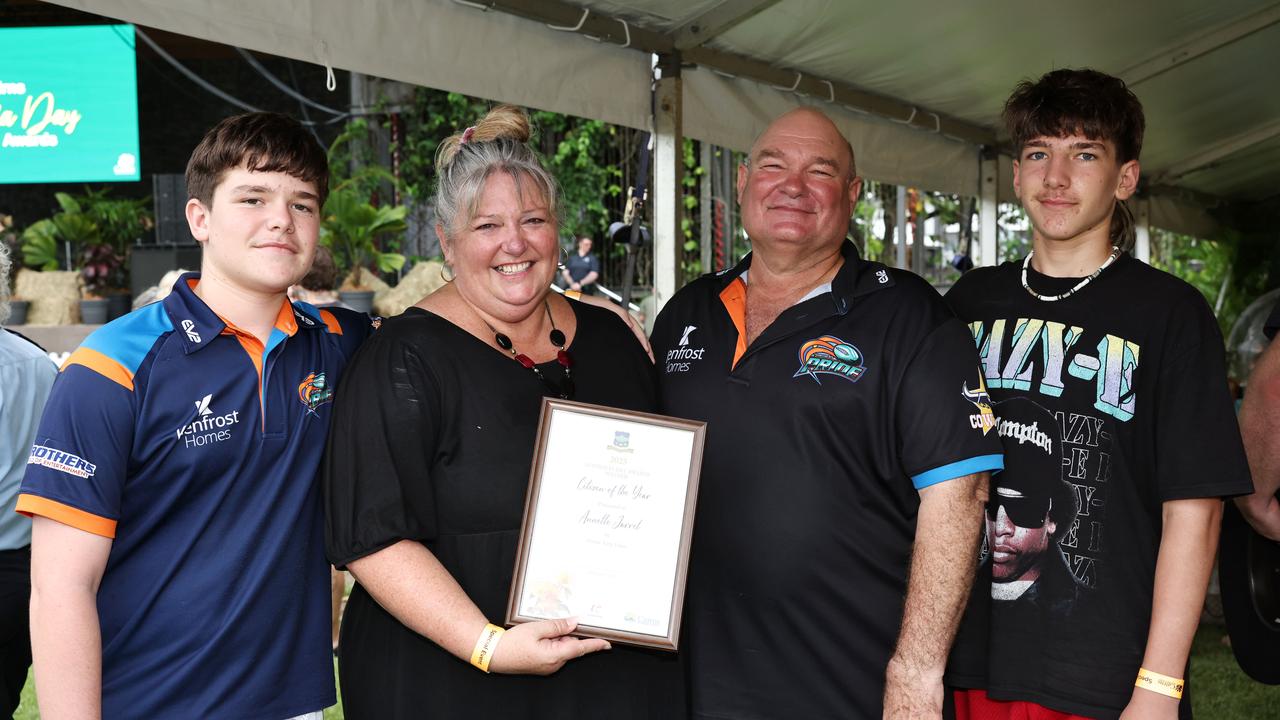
(195, 448)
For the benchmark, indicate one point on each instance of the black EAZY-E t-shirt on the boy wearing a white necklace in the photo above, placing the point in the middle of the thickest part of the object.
(1131, 375)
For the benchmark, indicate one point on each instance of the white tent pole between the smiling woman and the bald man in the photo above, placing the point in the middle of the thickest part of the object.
(668, 174)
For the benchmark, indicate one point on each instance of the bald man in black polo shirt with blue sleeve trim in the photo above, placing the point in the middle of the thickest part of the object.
(843, 455)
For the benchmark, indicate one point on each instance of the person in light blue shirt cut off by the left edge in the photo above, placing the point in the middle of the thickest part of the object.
(26, 377)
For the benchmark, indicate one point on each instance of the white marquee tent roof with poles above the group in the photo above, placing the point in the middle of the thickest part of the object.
(916, 85)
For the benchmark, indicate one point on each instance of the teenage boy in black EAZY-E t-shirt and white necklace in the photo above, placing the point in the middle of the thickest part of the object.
(1130, 363)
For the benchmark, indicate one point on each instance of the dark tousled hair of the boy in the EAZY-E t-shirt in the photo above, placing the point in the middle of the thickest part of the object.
(1077, 102)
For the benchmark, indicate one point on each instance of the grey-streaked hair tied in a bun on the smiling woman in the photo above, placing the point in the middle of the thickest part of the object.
(499, 143)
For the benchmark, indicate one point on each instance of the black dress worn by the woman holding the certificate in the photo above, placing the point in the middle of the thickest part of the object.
(432, 441)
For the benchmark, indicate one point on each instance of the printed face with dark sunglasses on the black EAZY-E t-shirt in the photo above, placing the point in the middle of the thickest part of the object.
(1018, 535)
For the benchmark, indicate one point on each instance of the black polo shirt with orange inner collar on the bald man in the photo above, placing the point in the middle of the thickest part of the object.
(820, 436)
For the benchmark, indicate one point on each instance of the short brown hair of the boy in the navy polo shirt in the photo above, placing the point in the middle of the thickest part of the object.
(266, 143)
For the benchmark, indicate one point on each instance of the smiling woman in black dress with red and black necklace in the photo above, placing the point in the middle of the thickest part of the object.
(429, 459)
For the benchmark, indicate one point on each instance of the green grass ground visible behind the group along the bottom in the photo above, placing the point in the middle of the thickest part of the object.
(1222, 691)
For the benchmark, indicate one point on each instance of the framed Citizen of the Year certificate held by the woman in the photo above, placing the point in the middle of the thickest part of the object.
(609, 520)
